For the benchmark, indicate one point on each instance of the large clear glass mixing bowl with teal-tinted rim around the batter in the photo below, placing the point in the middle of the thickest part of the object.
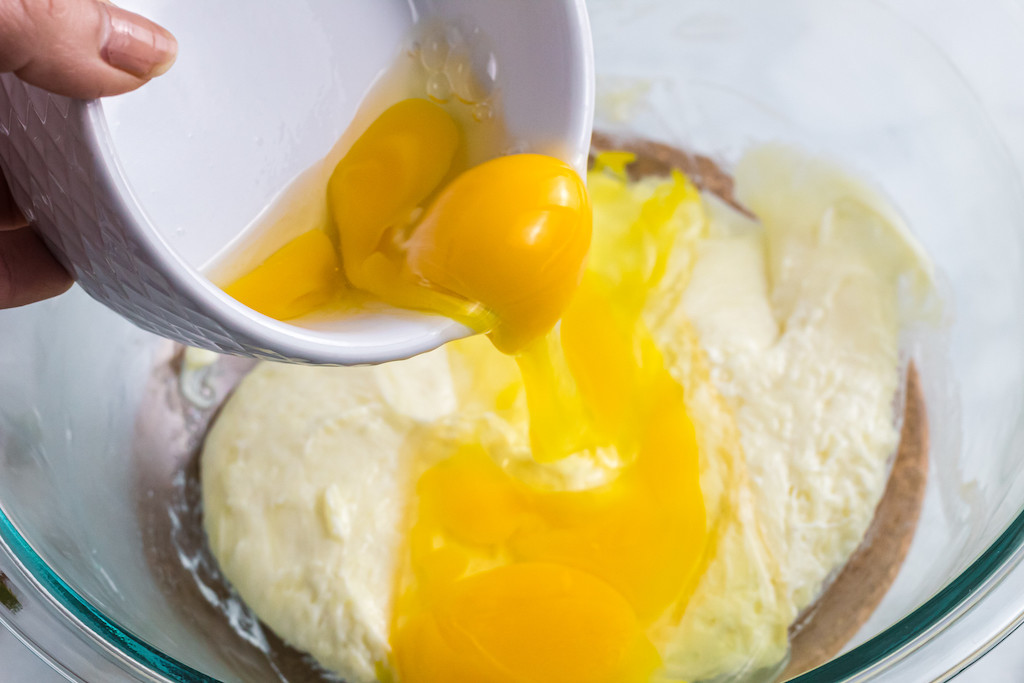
(105, 574)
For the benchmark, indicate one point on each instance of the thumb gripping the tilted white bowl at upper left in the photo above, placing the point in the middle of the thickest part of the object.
(81, 49)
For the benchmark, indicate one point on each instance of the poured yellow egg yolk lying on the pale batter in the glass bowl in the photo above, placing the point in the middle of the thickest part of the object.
(511, 584)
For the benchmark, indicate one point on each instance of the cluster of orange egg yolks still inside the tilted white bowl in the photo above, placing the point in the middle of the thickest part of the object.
(499, 247)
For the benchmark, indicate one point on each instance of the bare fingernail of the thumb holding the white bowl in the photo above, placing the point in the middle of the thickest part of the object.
(136, 45)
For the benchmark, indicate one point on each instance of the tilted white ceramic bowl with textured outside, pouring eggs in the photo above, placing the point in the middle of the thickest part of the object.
(137, 194)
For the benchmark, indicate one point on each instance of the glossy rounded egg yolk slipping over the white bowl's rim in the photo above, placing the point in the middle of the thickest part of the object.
(514, 235)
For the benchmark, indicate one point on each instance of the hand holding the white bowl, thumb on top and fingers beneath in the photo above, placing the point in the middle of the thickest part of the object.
(78, 49)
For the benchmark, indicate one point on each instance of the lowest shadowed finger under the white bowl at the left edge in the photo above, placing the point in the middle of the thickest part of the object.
(29, 273)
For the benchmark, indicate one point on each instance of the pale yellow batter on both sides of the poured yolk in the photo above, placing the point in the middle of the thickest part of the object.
(308, 480)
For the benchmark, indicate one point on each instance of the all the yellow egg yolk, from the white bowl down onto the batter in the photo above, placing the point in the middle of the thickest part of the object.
(507, 583)
